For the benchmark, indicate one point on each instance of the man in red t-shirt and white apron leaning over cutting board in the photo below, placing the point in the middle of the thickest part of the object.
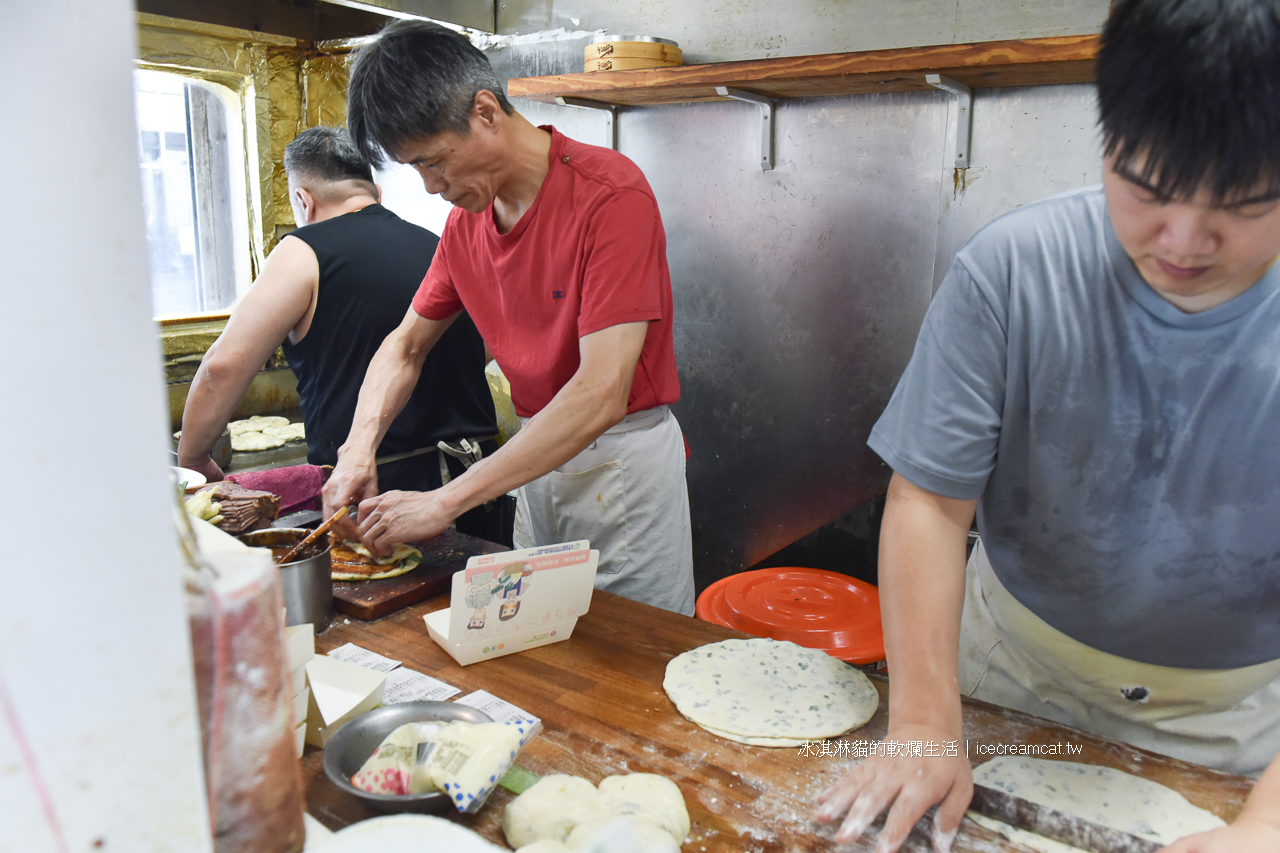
(557, 253)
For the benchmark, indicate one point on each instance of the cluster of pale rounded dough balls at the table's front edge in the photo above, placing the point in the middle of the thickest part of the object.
(563, 814)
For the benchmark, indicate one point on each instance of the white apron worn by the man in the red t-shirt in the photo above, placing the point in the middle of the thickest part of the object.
(627, 494)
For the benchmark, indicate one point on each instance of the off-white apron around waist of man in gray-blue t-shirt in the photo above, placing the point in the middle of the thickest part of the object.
(1223, 719)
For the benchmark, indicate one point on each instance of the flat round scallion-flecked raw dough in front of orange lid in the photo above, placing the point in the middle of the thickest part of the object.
(762, 688)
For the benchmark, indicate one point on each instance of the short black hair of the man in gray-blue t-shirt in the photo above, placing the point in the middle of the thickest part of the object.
(1192, 89)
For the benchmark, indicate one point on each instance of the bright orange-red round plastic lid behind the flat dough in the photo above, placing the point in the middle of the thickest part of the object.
(811, 608)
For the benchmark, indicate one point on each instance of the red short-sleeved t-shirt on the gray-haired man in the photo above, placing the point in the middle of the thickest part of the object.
(591, 253)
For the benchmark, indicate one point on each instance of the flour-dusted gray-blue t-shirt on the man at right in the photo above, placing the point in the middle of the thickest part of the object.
(1126, 455)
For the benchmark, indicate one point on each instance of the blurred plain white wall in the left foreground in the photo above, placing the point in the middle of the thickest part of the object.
(99, 741)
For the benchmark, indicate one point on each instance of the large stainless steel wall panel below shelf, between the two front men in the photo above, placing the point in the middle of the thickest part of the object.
(798, 297)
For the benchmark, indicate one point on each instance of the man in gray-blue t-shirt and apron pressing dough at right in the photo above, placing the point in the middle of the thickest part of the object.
(1099, 378)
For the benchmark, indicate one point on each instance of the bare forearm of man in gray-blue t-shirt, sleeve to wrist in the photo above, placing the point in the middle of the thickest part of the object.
(922, 596)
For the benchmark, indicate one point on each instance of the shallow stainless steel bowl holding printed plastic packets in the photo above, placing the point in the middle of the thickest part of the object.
(354, 743)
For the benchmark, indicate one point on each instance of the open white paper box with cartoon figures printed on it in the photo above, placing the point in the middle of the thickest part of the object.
(515, 601)
